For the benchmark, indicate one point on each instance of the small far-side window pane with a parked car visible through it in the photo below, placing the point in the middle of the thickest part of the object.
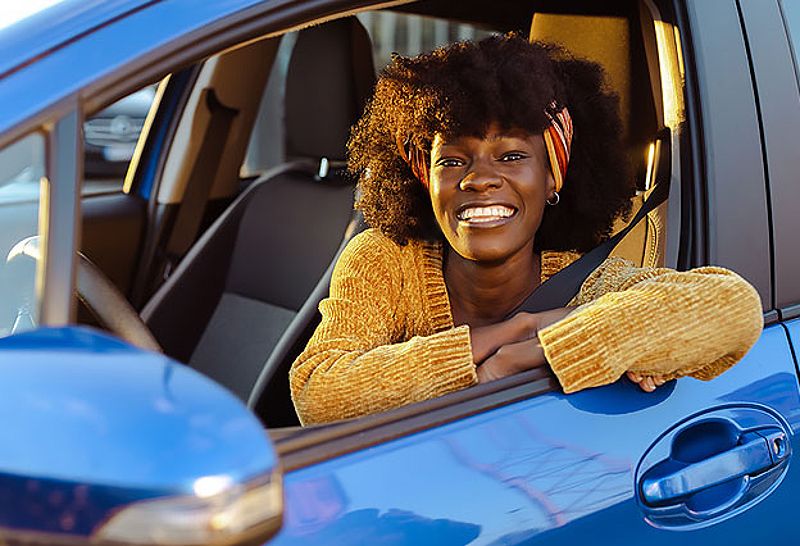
(110, 138)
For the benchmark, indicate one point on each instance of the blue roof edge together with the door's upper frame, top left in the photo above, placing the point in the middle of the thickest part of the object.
(51, 57)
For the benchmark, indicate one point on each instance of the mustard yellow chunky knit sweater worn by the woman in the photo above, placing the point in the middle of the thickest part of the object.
(387, 338)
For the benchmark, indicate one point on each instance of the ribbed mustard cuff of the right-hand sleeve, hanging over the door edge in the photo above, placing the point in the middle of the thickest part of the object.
(576, 353)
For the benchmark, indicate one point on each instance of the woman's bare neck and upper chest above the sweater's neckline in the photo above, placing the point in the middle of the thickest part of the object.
(482, 294)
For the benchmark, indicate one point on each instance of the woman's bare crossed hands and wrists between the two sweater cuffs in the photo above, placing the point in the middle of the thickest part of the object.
(511, 346)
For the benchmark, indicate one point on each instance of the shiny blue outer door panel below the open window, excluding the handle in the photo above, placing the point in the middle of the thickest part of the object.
(553, 469)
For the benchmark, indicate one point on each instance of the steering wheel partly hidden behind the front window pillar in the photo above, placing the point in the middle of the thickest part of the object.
(99, 295)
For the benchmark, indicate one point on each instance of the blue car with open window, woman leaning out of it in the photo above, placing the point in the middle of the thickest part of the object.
(147, 328)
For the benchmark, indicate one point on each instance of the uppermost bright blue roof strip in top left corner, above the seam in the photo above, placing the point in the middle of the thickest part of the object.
(32, 37)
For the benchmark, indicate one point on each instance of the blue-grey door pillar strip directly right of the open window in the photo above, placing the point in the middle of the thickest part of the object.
(734, 172)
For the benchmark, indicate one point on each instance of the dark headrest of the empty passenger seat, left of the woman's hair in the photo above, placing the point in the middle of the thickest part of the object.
(330, 76)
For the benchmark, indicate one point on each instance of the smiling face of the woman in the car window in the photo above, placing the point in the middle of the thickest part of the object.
(489, 193)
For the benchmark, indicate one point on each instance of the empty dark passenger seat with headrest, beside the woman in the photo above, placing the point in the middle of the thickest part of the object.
(230, 299)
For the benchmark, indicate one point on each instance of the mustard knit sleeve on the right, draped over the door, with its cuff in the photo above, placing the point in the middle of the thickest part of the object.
(655, 322)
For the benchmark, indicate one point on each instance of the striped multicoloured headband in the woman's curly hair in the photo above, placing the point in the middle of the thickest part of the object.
(557, 140)
